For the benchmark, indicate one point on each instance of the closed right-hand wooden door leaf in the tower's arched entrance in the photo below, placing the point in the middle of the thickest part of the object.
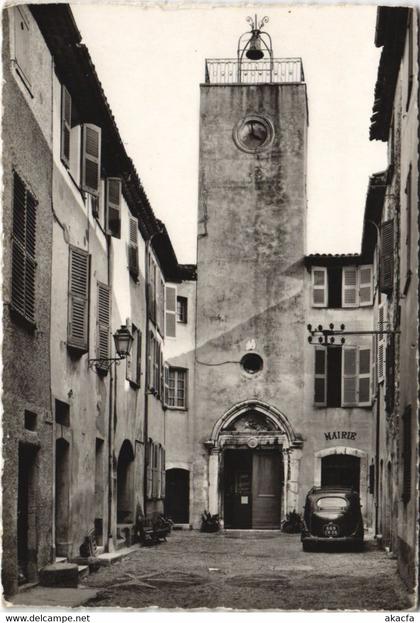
(266, 490)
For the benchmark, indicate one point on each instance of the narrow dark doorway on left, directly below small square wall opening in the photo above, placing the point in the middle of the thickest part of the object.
(62, 496)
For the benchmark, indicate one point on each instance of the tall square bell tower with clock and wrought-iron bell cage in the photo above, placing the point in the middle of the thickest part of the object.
(251, 245)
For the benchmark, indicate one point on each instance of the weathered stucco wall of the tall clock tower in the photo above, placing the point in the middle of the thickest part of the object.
(252, 210)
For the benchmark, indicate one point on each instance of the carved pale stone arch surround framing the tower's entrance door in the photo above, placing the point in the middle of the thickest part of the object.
(254, 424)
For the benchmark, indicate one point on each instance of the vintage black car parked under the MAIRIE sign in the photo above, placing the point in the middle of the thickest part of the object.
(332, 515)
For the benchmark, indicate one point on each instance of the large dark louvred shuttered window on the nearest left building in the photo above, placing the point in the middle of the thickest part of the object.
(23, 250)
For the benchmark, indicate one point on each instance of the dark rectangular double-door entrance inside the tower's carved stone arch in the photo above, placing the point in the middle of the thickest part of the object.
(252, 489)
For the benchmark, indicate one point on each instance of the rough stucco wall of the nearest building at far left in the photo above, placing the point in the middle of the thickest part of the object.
(27, 149)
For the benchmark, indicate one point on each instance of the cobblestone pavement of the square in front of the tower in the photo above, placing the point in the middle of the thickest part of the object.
(249, 570)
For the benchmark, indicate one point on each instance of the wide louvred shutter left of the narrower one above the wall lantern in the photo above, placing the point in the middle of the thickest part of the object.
(77, 334)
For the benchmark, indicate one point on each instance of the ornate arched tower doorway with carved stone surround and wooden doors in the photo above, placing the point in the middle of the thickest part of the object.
(254, 457)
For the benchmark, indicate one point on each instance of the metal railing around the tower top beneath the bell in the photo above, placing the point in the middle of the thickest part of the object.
(230, 71)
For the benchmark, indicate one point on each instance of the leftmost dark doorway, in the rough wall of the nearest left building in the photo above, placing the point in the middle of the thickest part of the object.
(26, 515)
